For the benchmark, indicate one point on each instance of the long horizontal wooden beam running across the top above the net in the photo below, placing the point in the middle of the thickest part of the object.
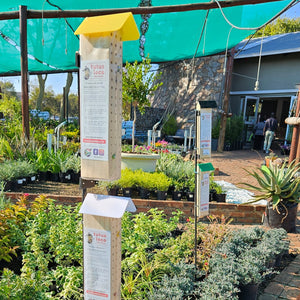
(54, 14)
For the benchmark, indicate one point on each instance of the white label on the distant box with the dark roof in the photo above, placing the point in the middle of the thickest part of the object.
(205, 134)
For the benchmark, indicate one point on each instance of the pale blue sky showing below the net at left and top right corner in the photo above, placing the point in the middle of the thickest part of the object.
(56, 82)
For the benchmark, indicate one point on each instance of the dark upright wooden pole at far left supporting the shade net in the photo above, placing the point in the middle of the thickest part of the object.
(24, 71)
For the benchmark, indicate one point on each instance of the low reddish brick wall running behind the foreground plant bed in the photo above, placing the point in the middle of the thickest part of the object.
(240, 214)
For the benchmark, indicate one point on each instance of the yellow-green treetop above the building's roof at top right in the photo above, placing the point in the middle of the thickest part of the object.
(279, 26)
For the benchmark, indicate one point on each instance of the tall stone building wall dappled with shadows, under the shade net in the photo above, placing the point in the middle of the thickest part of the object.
(184, 83)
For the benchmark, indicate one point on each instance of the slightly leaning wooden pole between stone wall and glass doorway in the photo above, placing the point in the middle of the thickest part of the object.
(228, 78)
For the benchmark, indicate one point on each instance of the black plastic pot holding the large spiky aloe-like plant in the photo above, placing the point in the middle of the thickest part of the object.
(282, 217)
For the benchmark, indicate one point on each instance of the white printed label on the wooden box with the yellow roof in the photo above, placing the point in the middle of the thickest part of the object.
(94, 109)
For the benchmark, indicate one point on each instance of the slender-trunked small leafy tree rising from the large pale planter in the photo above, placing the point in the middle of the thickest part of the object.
(139, 82)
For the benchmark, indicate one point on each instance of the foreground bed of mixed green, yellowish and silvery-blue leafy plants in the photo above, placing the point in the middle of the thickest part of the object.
(157, 254)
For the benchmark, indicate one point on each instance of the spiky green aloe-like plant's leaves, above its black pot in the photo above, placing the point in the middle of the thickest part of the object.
(277, 184)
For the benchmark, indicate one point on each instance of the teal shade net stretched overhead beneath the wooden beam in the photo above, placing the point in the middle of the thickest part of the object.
(170, 36)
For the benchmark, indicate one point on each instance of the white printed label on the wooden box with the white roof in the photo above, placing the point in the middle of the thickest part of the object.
(97, 244)
